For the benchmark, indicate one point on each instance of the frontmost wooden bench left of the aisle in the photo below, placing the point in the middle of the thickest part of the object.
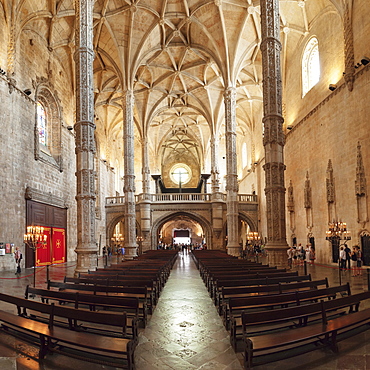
(87, 346)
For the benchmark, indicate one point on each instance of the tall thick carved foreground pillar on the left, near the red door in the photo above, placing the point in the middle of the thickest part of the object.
(85, 142)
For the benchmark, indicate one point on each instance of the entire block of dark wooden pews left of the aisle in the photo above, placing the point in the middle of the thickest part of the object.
(95, 317)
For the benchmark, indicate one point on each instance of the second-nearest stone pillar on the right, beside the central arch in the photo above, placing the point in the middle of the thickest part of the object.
(232, 214)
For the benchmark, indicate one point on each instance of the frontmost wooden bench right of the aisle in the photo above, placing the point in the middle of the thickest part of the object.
(265, 348)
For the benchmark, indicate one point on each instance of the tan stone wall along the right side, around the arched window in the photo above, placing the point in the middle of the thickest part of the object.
(328, 125)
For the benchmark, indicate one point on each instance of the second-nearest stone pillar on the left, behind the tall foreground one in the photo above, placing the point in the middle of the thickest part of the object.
(129, 177)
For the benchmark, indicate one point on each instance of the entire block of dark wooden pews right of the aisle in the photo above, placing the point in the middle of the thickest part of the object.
(273, 314)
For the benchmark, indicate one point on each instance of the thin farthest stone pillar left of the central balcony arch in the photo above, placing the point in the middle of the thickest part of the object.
(145, 203)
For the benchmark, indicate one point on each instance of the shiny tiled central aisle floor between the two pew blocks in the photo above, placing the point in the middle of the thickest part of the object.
(185, 331)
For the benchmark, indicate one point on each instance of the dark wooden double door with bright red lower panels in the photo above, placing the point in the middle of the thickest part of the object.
(54, 221)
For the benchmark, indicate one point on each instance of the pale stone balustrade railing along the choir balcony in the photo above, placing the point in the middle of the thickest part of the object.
(180, 197)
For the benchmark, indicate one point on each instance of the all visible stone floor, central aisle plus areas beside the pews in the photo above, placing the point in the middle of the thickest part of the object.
(185, 331)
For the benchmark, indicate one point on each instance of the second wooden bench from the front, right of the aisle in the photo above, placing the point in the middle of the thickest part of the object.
(236, 305)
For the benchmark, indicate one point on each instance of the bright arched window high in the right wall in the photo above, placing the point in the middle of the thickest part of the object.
(310, 66)
